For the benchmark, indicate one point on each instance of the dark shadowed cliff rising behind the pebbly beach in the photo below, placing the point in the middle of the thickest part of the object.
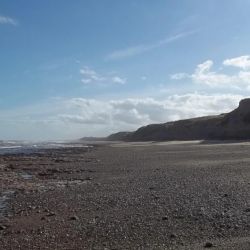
(230, 126)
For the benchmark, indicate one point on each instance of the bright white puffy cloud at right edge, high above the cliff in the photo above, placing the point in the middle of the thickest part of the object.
(203, 74)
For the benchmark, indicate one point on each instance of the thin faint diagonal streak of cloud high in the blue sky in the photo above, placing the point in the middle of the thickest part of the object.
(142, 48)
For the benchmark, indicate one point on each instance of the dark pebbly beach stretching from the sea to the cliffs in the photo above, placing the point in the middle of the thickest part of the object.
(127, 196)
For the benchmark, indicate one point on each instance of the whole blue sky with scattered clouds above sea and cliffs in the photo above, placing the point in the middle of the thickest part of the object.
(70, 69)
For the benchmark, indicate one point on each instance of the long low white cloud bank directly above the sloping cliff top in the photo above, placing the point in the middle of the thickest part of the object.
(175, 107)
